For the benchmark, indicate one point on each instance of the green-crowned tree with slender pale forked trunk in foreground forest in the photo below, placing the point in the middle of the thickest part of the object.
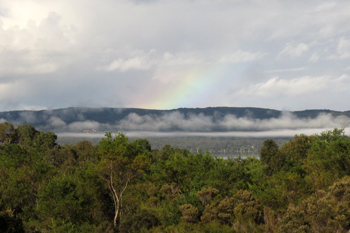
(119, 165)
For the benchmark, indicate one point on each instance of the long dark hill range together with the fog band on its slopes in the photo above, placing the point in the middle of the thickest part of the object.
(211, 119)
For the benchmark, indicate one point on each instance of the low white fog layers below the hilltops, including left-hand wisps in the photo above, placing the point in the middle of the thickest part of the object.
(176, 124)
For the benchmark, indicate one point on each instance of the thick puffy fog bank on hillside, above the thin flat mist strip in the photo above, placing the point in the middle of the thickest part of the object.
(202, 123)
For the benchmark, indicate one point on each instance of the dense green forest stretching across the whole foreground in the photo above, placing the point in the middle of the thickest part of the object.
(120, 185)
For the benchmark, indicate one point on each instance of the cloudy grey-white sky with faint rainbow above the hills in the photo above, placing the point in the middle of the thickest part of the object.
(164, 54)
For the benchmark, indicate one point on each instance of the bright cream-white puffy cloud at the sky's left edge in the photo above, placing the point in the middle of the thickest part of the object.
(37, 48)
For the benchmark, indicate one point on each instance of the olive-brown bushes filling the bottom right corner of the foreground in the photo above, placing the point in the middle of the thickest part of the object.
(326, 212)
